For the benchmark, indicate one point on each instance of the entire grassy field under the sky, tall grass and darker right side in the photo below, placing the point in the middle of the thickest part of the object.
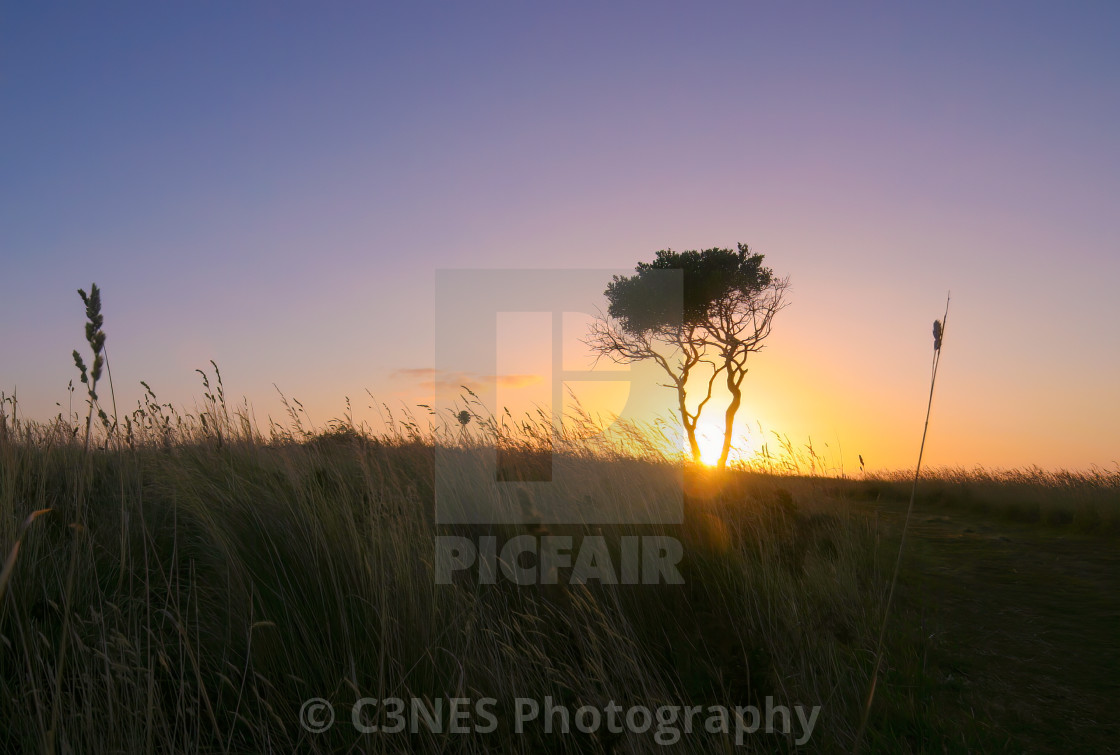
(185, 586)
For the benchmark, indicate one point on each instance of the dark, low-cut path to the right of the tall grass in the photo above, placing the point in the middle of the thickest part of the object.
(1024, 627)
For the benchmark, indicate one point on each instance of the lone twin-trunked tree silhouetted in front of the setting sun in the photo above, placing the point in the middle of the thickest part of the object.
(727, 311)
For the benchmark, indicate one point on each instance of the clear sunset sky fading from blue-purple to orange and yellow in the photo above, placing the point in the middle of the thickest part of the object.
(275, 187)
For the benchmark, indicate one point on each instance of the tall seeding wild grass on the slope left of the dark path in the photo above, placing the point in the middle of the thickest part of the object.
(184, 581)
